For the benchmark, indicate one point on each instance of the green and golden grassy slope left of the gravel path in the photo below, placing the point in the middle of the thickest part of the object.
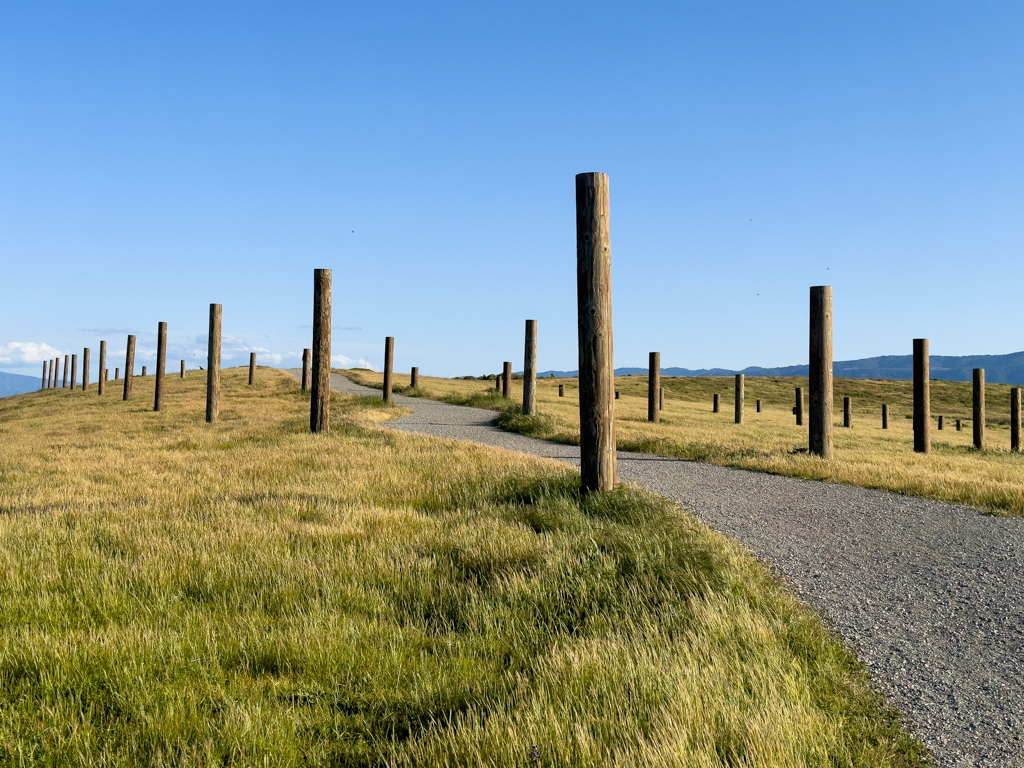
(176, 593)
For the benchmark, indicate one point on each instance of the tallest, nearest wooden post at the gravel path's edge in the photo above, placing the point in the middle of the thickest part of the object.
(598, 376)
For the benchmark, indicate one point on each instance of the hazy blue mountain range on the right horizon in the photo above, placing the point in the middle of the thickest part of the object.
(1000, 369)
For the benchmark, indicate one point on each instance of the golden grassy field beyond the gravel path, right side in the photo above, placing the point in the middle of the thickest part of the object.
(771, 442)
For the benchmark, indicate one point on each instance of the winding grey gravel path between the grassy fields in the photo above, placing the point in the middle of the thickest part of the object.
(930, 595)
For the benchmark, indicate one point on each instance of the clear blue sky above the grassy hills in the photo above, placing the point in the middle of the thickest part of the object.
(159, 157)
